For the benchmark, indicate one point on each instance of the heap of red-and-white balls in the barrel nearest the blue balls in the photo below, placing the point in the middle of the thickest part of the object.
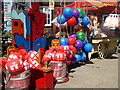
(63, 52)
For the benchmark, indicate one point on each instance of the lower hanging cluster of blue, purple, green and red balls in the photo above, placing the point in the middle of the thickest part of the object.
(79, 41)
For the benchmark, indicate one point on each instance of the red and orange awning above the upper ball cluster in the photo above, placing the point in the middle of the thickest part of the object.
(92, 5)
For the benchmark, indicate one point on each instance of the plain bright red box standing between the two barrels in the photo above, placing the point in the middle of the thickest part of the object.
(40, 79)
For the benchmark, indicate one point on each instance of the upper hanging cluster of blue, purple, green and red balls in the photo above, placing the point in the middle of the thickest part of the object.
(71, 16)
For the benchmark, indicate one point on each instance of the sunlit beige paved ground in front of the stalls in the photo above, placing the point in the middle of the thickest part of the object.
(102, 74)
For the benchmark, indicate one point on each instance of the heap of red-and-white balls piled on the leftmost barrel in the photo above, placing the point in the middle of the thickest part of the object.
(20, 61)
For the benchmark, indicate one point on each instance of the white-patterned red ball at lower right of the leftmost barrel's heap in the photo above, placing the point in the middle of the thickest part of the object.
(34, 64)
